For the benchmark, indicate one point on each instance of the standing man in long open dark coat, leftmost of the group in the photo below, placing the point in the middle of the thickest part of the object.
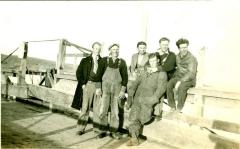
(89, 90)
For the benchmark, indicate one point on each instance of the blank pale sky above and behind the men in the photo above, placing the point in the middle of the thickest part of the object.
(210, 24)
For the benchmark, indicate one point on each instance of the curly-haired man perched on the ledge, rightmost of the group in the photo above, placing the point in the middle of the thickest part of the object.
(183, 78)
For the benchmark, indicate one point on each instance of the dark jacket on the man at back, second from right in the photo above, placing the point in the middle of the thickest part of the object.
(169, 65)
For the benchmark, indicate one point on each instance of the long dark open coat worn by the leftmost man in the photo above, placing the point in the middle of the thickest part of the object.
(82, 74)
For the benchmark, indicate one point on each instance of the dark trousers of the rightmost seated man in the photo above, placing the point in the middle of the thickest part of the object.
(180, 94)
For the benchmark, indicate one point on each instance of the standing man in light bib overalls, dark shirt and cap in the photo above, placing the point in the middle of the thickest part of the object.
(114, 82)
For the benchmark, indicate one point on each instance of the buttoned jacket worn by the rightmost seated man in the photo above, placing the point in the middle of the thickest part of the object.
(186, 68)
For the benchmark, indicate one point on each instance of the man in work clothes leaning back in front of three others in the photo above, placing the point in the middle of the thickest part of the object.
(146, 91)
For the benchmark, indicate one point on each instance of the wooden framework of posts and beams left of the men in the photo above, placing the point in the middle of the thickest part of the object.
(50, 78)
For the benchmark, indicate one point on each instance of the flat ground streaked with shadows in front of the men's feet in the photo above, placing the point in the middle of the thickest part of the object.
(24, 125)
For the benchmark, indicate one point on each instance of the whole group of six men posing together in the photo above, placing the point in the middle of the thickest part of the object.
(103, 83)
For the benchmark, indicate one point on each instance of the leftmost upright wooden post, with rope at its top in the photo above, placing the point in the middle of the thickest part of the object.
(23, 66)
